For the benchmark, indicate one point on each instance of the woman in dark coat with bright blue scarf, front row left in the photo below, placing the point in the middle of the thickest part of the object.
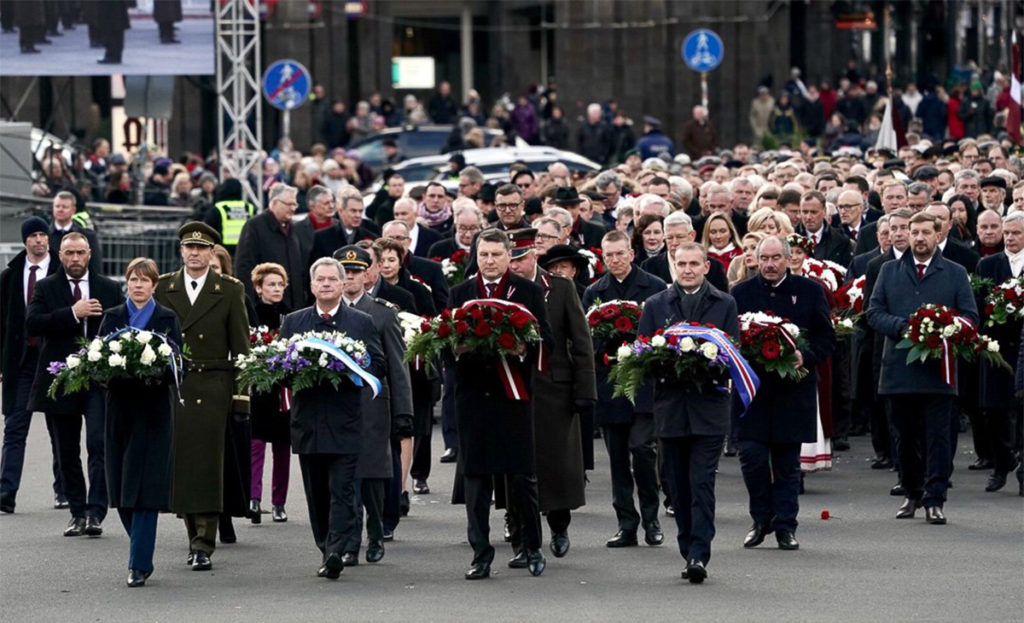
(140, 428)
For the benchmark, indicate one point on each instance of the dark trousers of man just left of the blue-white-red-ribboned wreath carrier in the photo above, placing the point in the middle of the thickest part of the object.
(626, 443)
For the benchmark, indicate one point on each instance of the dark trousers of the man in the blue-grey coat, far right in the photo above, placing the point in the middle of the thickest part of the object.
(925, 442)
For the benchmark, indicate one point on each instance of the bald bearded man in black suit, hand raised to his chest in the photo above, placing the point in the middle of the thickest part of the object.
(66, 307)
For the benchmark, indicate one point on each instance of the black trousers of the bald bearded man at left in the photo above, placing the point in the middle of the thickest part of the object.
(68, 431)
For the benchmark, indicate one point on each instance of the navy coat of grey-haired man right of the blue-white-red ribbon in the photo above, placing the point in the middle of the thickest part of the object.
(785, 411)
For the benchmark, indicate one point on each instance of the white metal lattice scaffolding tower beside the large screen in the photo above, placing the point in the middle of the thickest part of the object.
(240, 132)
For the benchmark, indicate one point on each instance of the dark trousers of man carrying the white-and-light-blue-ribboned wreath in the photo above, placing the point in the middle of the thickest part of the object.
(330, 484)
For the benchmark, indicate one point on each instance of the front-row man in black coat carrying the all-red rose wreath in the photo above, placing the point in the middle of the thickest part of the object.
(496, 433)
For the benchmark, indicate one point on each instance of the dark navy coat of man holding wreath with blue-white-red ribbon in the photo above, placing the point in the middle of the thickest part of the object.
(680, 412)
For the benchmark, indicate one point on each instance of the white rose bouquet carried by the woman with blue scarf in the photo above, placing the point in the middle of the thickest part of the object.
(125, 355)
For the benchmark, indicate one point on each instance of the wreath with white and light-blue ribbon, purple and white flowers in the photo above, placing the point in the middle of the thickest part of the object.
(306, 361)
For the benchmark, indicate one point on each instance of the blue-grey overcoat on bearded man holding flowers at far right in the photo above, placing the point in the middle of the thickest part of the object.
(897, 297)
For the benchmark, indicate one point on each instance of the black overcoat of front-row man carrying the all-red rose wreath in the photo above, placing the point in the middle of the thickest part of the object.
(496, 435)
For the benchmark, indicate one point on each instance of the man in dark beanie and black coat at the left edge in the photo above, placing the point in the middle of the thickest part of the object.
(20, 356)
